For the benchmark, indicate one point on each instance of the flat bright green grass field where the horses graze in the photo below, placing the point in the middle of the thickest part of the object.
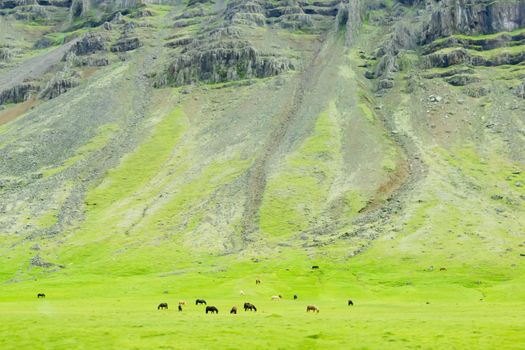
(120, 313)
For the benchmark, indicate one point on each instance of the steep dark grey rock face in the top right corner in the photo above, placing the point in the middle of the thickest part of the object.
(474, 17)
